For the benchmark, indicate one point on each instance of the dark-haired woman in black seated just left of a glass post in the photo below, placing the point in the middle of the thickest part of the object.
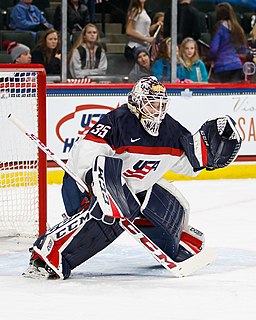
(48, 52)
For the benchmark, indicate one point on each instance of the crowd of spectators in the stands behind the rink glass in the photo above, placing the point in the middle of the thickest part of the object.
(148, 47)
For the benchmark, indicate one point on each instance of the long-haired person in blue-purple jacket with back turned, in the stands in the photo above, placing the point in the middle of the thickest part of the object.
(229, 39)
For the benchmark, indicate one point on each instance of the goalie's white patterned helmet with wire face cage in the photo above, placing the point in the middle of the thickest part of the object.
(148, 101)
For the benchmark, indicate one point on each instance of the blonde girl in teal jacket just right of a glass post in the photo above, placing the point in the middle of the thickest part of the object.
(190, 66)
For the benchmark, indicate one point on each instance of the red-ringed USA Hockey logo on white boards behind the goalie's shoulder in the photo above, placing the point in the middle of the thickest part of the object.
(83, 118)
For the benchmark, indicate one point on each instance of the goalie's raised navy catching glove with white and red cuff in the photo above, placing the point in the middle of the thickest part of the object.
(216, 144)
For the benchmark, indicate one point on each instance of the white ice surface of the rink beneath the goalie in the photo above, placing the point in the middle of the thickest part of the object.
(125, 282)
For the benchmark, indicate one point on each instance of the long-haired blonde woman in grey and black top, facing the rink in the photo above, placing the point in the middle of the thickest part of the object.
(87, 56)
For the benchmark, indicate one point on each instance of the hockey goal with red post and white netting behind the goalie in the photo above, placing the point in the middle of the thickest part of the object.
(22, 165)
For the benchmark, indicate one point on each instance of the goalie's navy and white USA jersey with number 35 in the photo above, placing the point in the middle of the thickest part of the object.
(146, 158)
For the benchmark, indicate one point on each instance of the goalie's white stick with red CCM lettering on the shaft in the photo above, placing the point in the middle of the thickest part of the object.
(179, 269)
